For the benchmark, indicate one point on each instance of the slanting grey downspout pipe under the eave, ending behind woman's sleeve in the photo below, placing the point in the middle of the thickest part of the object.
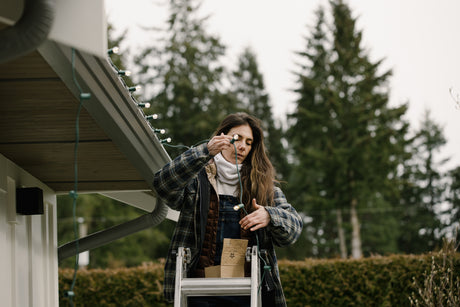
(108, 235)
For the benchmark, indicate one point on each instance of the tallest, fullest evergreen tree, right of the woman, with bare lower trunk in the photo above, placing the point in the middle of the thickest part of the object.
(347, 141)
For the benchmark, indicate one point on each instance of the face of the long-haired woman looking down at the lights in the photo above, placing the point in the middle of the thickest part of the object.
(243, 144)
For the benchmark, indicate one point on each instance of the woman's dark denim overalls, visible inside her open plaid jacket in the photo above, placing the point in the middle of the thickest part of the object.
(227, 227)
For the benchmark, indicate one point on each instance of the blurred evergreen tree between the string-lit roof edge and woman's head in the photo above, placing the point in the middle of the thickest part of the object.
(184, 74)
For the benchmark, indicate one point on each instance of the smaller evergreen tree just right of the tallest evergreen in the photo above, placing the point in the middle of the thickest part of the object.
(422, 195)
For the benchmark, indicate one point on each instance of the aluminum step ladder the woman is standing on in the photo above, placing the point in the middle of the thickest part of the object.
(240, 286)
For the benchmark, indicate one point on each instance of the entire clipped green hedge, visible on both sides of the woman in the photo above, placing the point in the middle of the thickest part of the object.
(376, 281)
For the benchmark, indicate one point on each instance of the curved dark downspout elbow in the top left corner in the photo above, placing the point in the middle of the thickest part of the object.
(29, 32)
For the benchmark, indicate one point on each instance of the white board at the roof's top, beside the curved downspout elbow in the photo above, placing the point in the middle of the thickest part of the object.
(82, 25)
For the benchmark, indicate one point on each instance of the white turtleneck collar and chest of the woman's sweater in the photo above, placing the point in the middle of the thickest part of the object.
(227, 176)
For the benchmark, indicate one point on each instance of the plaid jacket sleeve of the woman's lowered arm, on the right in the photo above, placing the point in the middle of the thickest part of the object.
(286, 224)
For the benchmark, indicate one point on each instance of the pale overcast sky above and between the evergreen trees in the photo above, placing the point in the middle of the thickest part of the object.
(417, 38)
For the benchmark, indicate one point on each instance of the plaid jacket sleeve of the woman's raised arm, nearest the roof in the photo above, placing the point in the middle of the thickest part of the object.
(170, 181)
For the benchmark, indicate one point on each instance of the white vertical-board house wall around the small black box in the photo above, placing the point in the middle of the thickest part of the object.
(28, 244)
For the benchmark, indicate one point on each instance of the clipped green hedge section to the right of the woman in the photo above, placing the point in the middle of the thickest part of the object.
(383, 281)
